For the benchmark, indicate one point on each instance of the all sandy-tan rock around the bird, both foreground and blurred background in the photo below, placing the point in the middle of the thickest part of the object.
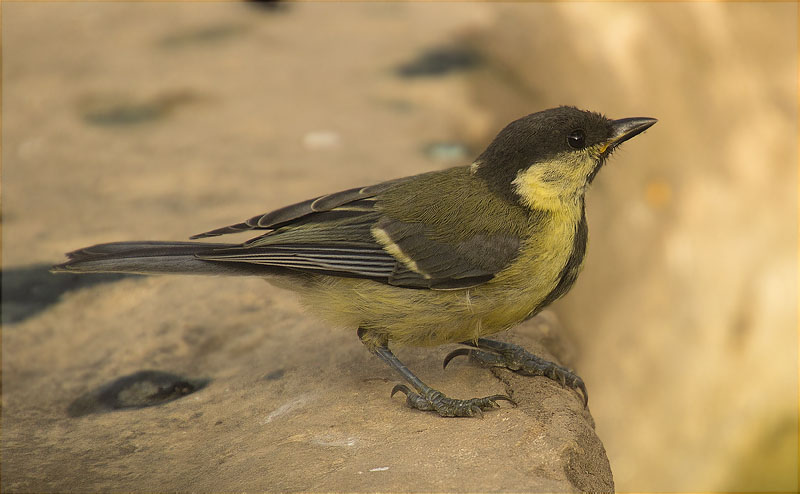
(133, 121)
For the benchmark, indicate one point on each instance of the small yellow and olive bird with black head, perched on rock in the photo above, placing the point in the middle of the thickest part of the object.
(442, 257)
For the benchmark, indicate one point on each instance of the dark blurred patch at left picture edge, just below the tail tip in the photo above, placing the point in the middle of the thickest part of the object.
(30, 289)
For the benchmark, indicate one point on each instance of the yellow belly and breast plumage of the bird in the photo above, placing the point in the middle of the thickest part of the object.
(421, 317)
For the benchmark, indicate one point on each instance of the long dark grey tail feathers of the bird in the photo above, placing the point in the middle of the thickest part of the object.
(153, 258)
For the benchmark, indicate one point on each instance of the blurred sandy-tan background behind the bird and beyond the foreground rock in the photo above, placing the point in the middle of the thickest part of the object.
(161, 120)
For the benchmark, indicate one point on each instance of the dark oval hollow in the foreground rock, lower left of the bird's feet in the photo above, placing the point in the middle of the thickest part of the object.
(142, 389)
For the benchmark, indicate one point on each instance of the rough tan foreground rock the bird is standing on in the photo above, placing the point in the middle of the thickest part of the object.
(291, 406)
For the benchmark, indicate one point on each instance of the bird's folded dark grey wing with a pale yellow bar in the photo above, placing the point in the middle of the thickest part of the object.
(348, 234)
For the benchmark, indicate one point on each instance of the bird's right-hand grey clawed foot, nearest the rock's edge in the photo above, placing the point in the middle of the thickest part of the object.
(513, 357)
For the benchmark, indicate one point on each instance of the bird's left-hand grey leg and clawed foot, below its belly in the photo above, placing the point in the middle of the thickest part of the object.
(427, 398)
